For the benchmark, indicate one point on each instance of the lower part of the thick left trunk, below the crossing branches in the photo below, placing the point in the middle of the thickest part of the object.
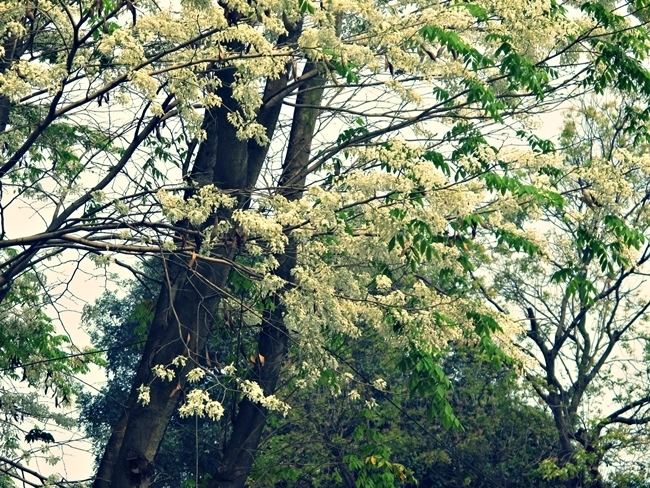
(181, 326)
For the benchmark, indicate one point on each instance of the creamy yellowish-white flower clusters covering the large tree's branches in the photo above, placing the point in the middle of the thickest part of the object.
(340, 230)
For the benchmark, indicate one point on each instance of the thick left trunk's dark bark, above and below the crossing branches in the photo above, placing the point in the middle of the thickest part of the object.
(183, 319)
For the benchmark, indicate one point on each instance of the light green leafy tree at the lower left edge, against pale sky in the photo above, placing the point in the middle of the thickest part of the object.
(33, 363)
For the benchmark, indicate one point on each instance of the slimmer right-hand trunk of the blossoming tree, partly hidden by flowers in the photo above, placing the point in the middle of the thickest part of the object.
(273, 340)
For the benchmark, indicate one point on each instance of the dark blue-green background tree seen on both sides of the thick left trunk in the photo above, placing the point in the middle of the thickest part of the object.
(119, 326)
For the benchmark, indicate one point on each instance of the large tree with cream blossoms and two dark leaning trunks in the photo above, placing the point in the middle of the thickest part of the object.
(227, 172)
